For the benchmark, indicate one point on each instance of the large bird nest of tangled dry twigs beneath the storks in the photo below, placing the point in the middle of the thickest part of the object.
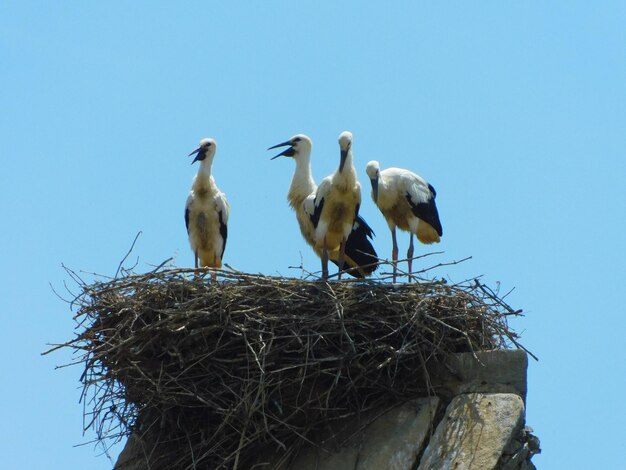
(211, 371)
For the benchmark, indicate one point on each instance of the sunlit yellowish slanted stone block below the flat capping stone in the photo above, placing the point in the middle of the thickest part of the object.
(474, 432)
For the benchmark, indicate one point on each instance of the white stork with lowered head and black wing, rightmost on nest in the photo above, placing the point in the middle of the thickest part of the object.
(407, 201)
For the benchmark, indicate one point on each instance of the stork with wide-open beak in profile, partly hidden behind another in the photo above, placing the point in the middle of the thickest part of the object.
(360, 255)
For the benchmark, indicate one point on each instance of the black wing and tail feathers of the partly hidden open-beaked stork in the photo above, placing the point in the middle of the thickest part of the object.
(360, 253)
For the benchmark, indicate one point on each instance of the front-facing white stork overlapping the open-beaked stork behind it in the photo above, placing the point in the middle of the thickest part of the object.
(336, 206)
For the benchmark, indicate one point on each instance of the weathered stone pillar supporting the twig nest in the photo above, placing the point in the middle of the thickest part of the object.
(476, 421)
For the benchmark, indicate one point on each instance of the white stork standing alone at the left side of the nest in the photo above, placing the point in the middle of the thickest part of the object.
(206, 211)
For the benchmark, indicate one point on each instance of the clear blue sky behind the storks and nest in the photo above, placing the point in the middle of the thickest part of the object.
(514, 111)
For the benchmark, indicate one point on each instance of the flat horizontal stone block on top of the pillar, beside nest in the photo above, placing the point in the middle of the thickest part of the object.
(498, 371)
